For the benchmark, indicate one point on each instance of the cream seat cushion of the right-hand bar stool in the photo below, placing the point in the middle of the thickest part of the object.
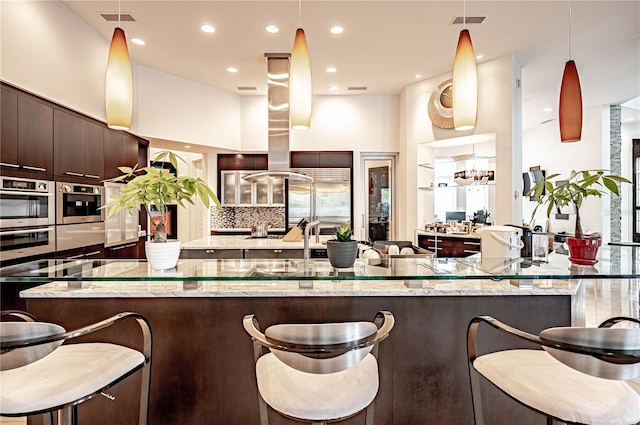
(541, 382)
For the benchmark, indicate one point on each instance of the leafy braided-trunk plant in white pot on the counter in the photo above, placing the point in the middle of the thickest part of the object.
(152, 186)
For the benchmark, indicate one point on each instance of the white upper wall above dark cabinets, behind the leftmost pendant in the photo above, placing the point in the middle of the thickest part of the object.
(50, 51)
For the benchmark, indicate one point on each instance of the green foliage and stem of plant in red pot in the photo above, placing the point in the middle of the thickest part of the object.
(574, 190)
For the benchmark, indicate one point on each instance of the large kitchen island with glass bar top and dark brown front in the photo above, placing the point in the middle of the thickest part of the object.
(203, 361)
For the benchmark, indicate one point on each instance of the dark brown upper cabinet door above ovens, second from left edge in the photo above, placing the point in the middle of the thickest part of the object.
(35, 135)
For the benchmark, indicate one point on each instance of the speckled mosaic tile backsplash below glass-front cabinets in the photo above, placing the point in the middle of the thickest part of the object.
(244, 217)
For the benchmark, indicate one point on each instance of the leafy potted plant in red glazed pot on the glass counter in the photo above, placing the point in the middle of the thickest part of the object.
(572, 192)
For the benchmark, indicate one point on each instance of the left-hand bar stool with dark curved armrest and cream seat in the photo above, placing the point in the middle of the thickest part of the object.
(41, 374)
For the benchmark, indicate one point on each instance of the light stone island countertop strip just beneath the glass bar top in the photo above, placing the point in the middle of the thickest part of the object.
(226, 289)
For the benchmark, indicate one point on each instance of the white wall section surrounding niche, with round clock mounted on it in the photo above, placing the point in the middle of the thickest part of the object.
(499, 112)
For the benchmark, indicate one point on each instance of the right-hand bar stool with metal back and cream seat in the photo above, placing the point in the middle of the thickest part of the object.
(578, 377)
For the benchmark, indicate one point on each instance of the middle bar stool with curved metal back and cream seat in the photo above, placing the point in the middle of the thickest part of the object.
(318, 372)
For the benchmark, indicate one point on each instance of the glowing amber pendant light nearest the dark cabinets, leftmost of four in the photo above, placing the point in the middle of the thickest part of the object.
(119, 82)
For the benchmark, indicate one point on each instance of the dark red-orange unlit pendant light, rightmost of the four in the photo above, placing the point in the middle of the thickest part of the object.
(570, 109)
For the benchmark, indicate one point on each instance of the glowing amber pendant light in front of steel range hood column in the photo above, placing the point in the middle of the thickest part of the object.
(300, 90)
